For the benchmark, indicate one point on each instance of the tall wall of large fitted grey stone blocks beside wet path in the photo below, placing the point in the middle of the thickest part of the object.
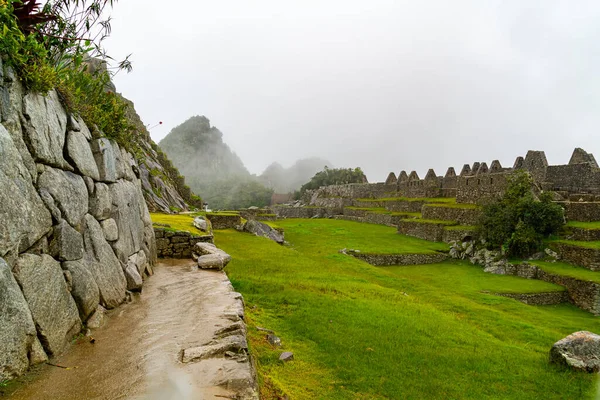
(75, 232)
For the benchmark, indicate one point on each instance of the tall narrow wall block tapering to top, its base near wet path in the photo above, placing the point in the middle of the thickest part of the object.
(101, 261)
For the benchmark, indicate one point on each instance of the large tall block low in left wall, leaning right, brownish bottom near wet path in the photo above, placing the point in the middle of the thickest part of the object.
(53, 309)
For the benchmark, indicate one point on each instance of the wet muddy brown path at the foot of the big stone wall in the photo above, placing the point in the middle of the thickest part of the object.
(137, 353)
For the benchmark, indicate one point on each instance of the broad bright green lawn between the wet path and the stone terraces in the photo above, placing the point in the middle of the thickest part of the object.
(422, 332)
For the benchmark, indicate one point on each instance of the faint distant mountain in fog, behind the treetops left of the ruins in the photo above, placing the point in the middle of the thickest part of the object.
(285, 180)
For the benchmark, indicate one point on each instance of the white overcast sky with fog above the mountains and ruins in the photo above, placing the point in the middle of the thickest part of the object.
(384, 85)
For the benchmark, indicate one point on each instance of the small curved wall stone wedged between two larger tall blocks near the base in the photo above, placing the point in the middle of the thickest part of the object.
(84, 288)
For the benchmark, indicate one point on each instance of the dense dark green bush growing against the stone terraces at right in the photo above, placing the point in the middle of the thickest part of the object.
(518, 222)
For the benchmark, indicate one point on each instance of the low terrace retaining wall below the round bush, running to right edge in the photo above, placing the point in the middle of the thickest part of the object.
(584, 294)
